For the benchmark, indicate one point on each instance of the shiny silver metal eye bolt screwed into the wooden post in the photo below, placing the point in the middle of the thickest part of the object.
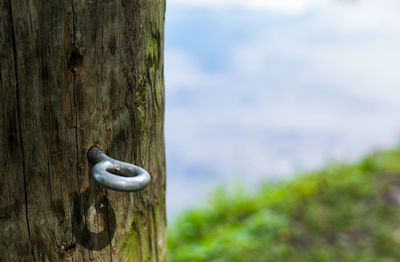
(117, 175)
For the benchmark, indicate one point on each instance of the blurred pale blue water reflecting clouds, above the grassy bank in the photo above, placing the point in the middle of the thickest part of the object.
(258, 91)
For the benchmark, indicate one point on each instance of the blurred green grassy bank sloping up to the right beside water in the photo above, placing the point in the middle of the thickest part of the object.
(341, 213)
